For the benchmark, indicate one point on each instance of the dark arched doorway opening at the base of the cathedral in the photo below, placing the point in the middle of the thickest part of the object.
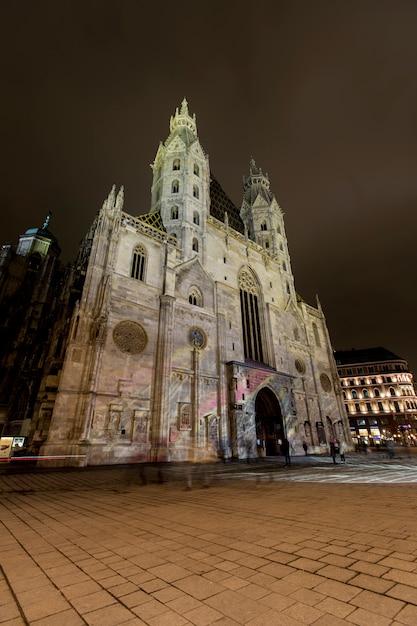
(269, 425)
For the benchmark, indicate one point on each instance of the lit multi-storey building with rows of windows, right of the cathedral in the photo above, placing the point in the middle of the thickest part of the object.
(379, 395)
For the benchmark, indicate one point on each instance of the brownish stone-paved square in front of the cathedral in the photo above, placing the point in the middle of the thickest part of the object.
(264, 545)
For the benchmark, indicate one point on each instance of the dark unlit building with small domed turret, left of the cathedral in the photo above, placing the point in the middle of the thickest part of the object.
(37, 295)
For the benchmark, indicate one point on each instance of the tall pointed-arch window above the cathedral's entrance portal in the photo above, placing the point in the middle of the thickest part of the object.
(251, 319)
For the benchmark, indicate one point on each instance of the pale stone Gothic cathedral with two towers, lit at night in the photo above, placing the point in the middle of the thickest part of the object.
(188, 336)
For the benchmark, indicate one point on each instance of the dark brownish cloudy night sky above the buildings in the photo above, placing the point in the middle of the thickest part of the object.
(323, 94)
